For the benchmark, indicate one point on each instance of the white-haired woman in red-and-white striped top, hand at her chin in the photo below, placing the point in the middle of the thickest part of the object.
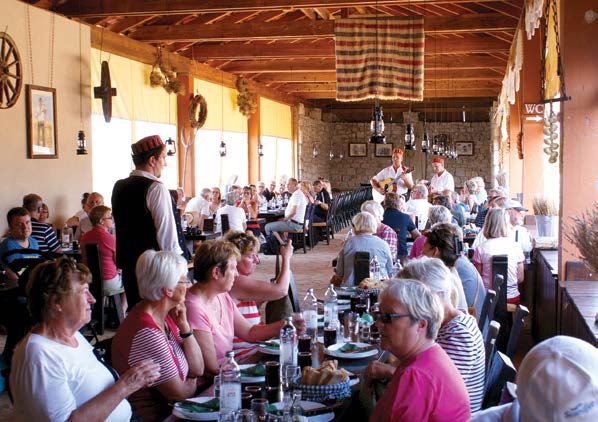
(157, 329)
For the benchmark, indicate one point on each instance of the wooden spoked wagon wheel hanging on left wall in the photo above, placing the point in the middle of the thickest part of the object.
(11, 71)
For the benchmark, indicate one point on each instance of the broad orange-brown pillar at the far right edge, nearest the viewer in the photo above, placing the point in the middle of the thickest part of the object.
(579, 118)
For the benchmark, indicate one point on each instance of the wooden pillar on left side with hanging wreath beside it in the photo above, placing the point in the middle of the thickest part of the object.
(183, 102)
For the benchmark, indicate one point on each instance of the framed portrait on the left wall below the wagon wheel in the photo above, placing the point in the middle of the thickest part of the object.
(42, 141)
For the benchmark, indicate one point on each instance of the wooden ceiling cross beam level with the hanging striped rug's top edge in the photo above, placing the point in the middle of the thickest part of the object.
(309, 29)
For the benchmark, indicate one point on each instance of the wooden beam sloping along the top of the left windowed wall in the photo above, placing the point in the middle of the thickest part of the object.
(144, 53)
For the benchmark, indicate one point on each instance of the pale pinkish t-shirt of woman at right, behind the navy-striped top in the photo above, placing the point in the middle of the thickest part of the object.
(499, 246)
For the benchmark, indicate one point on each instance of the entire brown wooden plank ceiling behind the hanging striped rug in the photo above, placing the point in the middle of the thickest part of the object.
(288, 45)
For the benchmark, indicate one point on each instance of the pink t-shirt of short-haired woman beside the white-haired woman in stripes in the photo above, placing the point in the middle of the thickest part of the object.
(221, 327)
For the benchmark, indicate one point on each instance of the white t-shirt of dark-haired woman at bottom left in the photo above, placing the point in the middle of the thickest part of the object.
(50, 380)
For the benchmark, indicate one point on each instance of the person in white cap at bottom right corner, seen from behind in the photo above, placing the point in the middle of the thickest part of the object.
(557, 381)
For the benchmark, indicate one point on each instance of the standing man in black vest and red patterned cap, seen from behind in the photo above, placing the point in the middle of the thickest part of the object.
(142, 211)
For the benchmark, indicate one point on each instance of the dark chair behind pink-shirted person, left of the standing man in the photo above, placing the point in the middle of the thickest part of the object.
(97, 289)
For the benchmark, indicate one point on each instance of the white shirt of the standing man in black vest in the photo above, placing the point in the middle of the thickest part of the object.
(159, 203)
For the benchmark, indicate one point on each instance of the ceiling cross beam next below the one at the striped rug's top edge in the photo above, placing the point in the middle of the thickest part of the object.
(325, 48)
